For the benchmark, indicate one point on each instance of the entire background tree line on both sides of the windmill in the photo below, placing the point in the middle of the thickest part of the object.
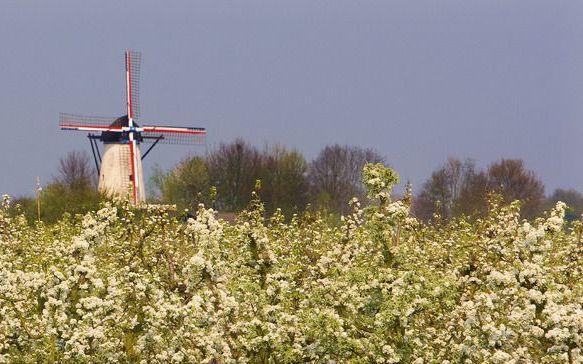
(228, 175)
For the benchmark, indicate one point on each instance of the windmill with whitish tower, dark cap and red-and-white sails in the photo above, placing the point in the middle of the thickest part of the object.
(120, 167)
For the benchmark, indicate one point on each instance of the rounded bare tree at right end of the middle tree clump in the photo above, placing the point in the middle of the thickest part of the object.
(335, 175)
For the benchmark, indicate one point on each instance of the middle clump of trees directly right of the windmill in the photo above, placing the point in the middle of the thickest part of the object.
(228, 175)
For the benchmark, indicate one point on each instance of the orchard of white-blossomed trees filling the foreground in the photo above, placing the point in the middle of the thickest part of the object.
(146, 286)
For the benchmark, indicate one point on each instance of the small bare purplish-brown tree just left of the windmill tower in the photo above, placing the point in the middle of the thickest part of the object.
(75, 171)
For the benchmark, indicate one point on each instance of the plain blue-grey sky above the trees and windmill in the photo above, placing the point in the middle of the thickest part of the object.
(417, 80)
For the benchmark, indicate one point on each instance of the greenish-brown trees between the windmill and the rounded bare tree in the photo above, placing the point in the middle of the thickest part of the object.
(227, 176)
